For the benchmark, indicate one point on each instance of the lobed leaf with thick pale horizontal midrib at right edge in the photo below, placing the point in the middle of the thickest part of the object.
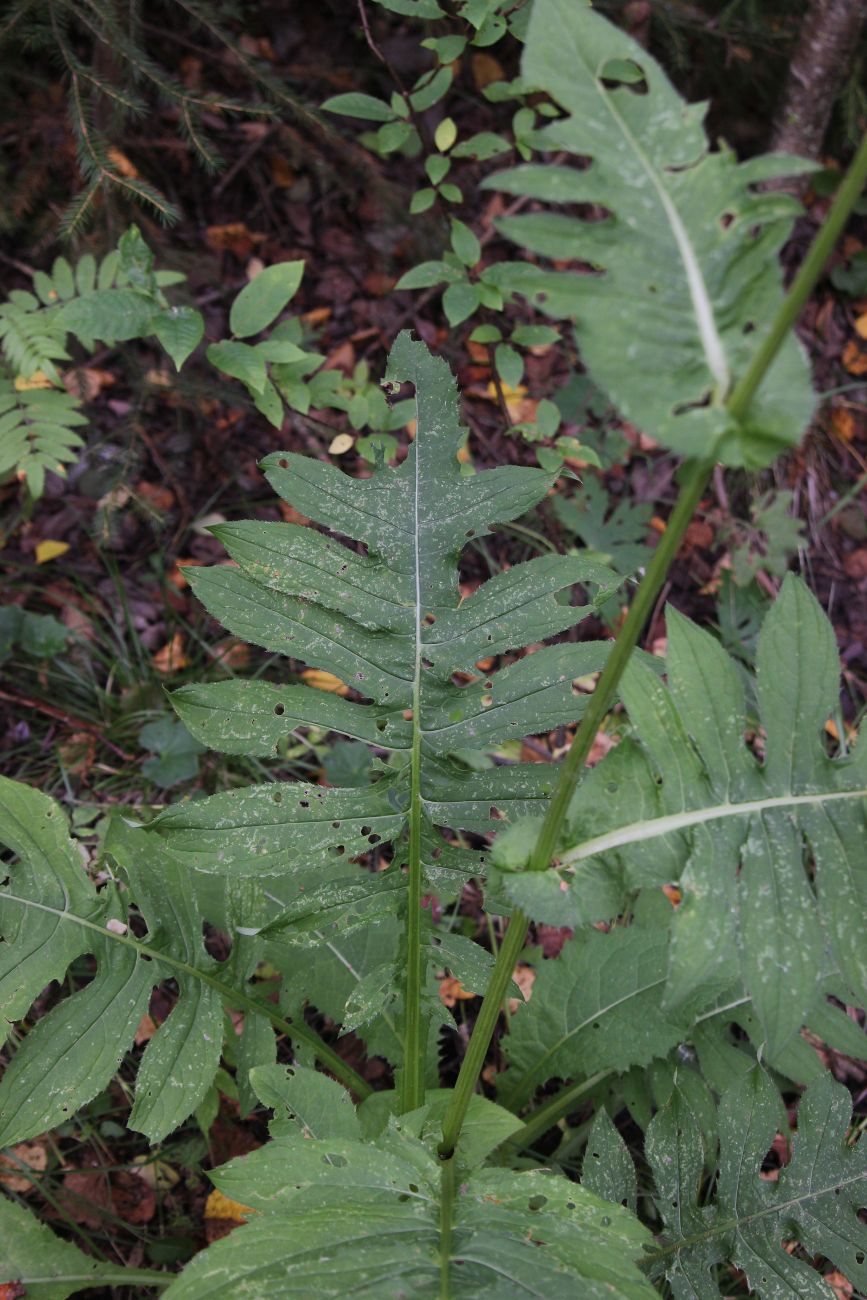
(692, 804)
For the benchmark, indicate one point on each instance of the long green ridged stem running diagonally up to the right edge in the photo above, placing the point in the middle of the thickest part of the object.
(696, 478)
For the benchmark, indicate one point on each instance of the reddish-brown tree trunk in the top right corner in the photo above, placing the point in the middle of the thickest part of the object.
(817, 73)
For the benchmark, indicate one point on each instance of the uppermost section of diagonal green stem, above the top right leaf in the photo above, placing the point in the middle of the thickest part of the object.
(804, 284)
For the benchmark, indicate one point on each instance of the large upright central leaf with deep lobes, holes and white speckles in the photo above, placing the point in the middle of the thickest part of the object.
(389, 622)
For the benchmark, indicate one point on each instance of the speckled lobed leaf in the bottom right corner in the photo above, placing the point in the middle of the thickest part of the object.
(751, 1223)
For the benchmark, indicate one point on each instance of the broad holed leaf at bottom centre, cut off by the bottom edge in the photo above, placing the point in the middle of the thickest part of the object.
(335, 1215)
